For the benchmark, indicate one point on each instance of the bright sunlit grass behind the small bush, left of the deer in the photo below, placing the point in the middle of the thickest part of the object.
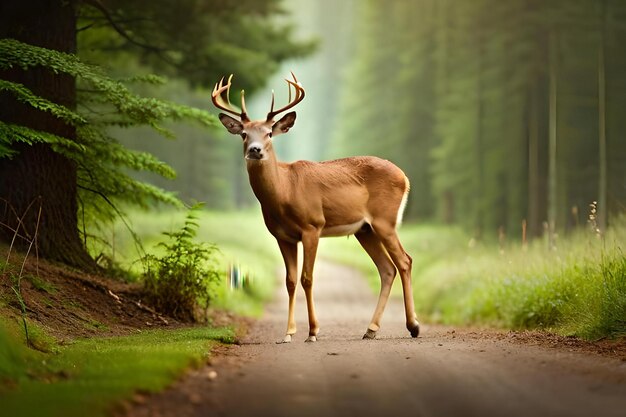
(242, 238)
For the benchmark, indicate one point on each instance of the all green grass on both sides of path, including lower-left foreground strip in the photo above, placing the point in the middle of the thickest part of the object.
(578, 289)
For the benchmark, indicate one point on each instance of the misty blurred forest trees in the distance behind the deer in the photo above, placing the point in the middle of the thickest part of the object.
(499, 112)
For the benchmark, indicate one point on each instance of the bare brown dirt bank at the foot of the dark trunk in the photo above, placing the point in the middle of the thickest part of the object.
(71, 304)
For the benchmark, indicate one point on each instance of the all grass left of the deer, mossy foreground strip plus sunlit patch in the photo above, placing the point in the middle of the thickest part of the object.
(95, 374)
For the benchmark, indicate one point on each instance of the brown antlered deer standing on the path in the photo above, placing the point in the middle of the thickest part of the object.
(303, 201)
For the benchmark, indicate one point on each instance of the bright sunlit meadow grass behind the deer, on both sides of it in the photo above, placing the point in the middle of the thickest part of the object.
(577, 289)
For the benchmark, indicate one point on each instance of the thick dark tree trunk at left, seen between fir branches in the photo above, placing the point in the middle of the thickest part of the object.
(37, 176)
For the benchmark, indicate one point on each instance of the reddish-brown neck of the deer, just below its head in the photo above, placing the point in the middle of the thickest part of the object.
(266, 181)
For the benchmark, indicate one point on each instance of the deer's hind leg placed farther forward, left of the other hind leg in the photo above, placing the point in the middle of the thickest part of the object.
(387, 271)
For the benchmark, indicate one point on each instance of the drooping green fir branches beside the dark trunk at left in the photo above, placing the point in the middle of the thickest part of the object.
(103, 163)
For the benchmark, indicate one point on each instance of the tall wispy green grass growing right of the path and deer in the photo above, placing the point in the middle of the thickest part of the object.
(579, 290)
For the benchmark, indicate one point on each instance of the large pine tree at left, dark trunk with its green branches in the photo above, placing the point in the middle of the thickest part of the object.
(64, 160)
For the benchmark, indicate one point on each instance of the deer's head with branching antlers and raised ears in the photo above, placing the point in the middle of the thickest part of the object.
(256, 134)
